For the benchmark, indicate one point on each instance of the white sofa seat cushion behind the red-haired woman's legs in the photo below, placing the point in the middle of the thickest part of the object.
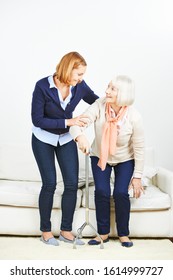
(26, 193)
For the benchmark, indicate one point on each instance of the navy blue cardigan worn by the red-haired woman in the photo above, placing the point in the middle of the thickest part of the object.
(46, 111)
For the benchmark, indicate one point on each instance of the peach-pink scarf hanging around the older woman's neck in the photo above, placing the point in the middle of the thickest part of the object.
(109, 136)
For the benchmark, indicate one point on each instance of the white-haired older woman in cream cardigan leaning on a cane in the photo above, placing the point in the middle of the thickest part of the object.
(118, 145)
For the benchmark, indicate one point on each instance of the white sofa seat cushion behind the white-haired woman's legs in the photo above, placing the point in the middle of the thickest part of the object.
(153, 199)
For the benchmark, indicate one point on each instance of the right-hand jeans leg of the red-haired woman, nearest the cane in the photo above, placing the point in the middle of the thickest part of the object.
(67, 156)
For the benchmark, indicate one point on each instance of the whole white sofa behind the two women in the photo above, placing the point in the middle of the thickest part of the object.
(151, 215)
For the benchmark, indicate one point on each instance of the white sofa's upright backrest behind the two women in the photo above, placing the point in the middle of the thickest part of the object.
(17, 162)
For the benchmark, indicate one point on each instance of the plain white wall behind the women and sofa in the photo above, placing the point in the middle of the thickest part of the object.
(132, 37)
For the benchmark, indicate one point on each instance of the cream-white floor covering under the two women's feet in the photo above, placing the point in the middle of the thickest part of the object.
(31, 248)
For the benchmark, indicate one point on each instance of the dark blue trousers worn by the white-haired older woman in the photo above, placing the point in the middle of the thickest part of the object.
(123, 174)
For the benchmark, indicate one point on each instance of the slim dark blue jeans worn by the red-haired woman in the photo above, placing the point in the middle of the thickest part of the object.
(67, 158)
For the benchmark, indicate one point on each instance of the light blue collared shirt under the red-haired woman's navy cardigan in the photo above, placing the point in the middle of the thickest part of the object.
(48, 137)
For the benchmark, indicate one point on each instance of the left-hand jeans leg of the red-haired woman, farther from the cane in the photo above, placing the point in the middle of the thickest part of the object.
(45, 158)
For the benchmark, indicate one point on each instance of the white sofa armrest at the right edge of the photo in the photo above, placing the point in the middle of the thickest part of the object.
(164, 181)
